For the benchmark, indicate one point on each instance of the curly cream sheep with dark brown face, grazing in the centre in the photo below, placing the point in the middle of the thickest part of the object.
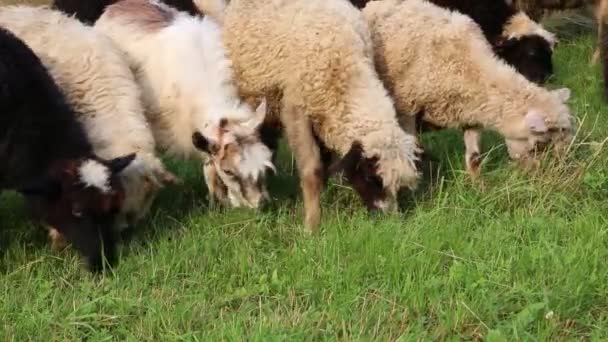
(316, 57)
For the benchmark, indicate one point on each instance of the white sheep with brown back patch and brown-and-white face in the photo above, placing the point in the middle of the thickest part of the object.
(192, 102)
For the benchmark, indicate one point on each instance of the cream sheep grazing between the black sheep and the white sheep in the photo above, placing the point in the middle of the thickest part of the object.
(98, 83)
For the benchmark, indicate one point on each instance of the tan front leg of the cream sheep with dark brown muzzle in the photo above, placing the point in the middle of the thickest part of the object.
(308, 161)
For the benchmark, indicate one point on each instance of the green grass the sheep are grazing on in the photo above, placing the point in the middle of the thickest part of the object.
(524, 258)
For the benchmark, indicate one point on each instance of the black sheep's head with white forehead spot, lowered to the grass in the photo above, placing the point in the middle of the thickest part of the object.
(80, 199)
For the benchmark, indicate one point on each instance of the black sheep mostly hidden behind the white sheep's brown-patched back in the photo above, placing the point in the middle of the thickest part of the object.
(88, 11)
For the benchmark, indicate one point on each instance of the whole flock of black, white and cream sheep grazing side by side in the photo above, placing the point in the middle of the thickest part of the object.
(91, 91)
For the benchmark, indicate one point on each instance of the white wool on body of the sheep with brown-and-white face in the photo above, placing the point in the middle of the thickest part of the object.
(187, 83)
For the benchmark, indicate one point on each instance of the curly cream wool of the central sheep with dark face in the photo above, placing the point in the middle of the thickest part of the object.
(318, 54)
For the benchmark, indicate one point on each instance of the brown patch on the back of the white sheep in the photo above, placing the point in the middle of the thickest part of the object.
(150, 15)
